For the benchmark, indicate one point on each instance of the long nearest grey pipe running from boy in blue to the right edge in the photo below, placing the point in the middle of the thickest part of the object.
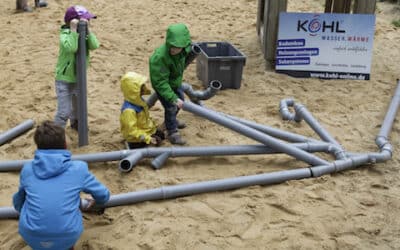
(238, 182)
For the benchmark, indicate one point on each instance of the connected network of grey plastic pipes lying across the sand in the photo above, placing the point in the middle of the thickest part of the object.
(272, 141)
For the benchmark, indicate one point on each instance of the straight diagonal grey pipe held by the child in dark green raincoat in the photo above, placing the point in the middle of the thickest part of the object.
(254, 134)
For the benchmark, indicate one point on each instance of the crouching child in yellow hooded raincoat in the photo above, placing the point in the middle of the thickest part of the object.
(137, 127)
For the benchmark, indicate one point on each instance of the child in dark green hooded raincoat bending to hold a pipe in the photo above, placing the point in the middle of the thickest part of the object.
(166, 73)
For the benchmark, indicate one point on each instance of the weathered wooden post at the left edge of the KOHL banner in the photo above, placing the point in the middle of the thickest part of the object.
(268, 26)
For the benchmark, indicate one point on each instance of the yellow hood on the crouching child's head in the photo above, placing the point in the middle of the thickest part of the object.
(131, 84)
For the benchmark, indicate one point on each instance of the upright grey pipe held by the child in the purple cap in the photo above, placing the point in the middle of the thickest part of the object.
(82, 85)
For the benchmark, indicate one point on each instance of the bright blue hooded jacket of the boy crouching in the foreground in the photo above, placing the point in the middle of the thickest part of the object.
(48, 199)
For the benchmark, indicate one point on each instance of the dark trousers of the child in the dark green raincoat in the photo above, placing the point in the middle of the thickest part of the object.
(170, 111)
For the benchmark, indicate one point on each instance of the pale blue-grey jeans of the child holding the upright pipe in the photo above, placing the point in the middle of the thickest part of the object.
(67, 94)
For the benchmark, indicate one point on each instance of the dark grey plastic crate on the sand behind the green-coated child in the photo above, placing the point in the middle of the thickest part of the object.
(220, 61)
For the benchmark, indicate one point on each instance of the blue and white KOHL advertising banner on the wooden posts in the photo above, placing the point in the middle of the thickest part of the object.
(328, 46)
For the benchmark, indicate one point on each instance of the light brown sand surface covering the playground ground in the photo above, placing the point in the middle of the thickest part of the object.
(356, 209)
